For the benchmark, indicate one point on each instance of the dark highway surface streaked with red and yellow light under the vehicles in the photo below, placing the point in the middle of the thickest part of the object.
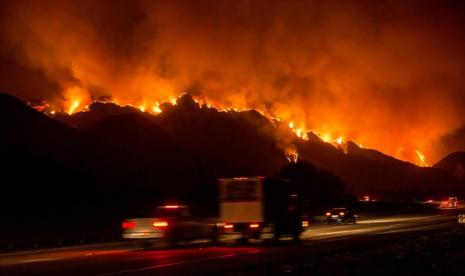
(198, 258)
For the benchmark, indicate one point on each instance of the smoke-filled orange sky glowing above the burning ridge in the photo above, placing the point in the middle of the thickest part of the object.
(389, 75)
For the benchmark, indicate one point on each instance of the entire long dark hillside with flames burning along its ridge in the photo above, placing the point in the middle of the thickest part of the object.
(190, 144)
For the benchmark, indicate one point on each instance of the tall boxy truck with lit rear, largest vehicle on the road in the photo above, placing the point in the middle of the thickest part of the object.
(257, 207)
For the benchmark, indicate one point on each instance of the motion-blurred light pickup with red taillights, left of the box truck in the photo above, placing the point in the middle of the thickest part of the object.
(172, 223)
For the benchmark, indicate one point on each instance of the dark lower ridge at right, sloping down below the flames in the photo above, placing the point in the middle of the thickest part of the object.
(368, 171)
